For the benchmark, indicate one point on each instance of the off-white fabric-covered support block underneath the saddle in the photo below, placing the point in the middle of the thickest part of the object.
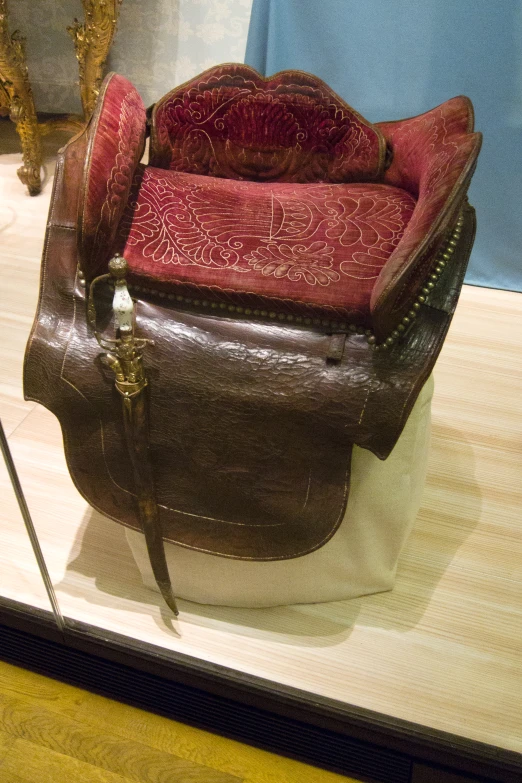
(360, 558)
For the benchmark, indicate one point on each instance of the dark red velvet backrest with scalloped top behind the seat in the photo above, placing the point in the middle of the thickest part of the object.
(232, 122)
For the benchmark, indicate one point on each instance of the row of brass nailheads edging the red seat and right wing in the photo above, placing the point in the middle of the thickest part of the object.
(221, 308)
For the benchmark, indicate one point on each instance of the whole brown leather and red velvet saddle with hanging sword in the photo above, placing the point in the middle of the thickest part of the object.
(217, 328)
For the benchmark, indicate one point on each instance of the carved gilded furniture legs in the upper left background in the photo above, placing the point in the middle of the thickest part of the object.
(92, 41)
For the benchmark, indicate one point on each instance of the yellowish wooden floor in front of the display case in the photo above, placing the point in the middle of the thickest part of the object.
(54, 733)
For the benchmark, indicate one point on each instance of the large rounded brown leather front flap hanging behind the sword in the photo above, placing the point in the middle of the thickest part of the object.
(250, 433)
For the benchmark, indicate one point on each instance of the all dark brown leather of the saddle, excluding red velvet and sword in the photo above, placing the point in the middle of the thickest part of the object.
(252, 426)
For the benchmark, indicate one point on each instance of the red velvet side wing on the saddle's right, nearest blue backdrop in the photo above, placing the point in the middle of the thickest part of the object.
(435, 155)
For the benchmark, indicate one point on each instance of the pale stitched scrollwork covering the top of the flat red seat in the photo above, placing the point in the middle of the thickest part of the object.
(309, 234)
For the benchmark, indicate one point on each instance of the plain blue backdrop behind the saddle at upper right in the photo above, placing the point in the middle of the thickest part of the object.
(397, 58)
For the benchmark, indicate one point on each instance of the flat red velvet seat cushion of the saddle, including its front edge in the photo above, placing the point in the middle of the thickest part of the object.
(294, 248)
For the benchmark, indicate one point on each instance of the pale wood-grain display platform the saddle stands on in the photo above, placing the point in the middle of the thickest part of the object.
(442, 649)
